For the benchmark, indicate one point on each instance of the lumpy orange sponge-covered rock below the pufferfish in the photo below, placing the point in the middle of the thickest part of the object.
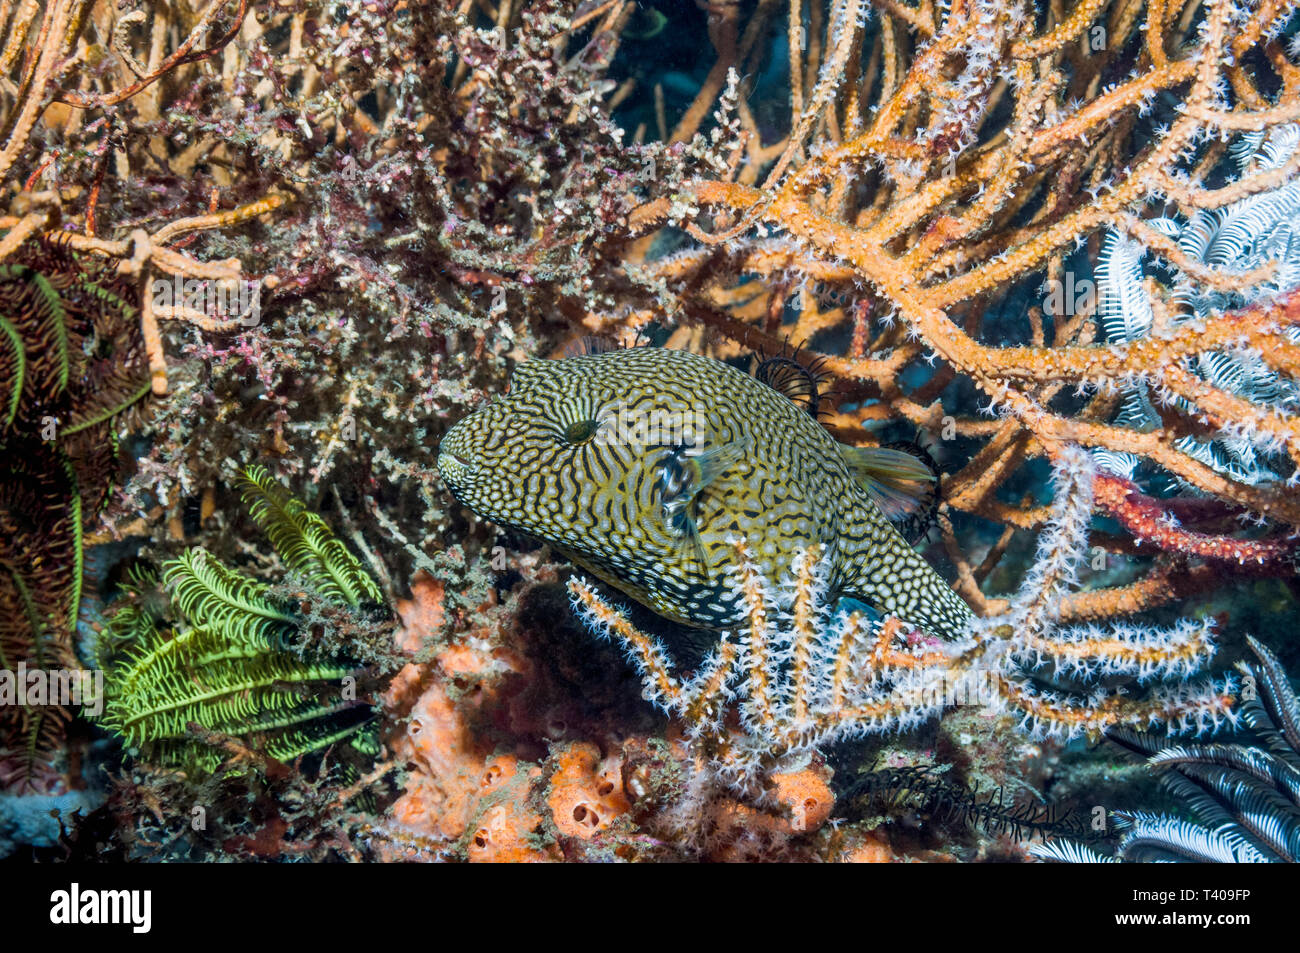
(638, 798)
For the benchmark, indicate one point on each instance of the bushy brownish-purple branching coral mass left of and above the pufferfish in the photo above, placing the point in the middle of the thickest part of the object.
(422, 194)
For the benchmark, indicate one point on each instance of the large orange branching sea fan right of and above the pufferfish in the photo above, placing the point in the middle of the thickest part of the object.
(951, 172)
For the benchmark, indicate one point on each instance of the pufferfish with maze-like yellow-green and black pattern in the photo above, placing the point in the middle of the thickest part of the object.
(644, 466)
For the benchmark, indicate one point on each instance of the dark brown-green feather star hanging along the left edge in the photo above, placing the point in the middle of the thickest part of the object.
(73, 375)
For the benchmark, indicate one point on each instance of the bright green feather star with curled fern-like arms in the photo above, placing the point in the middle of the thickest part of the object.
(222, 659)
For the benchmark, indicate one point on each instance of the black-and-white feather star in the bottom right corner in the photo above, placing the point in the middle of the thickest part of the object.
(1245, 799)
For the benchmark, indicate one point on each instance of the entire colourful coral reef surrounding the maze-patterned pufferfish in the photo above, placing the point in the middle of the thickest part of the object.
(313, 236)
